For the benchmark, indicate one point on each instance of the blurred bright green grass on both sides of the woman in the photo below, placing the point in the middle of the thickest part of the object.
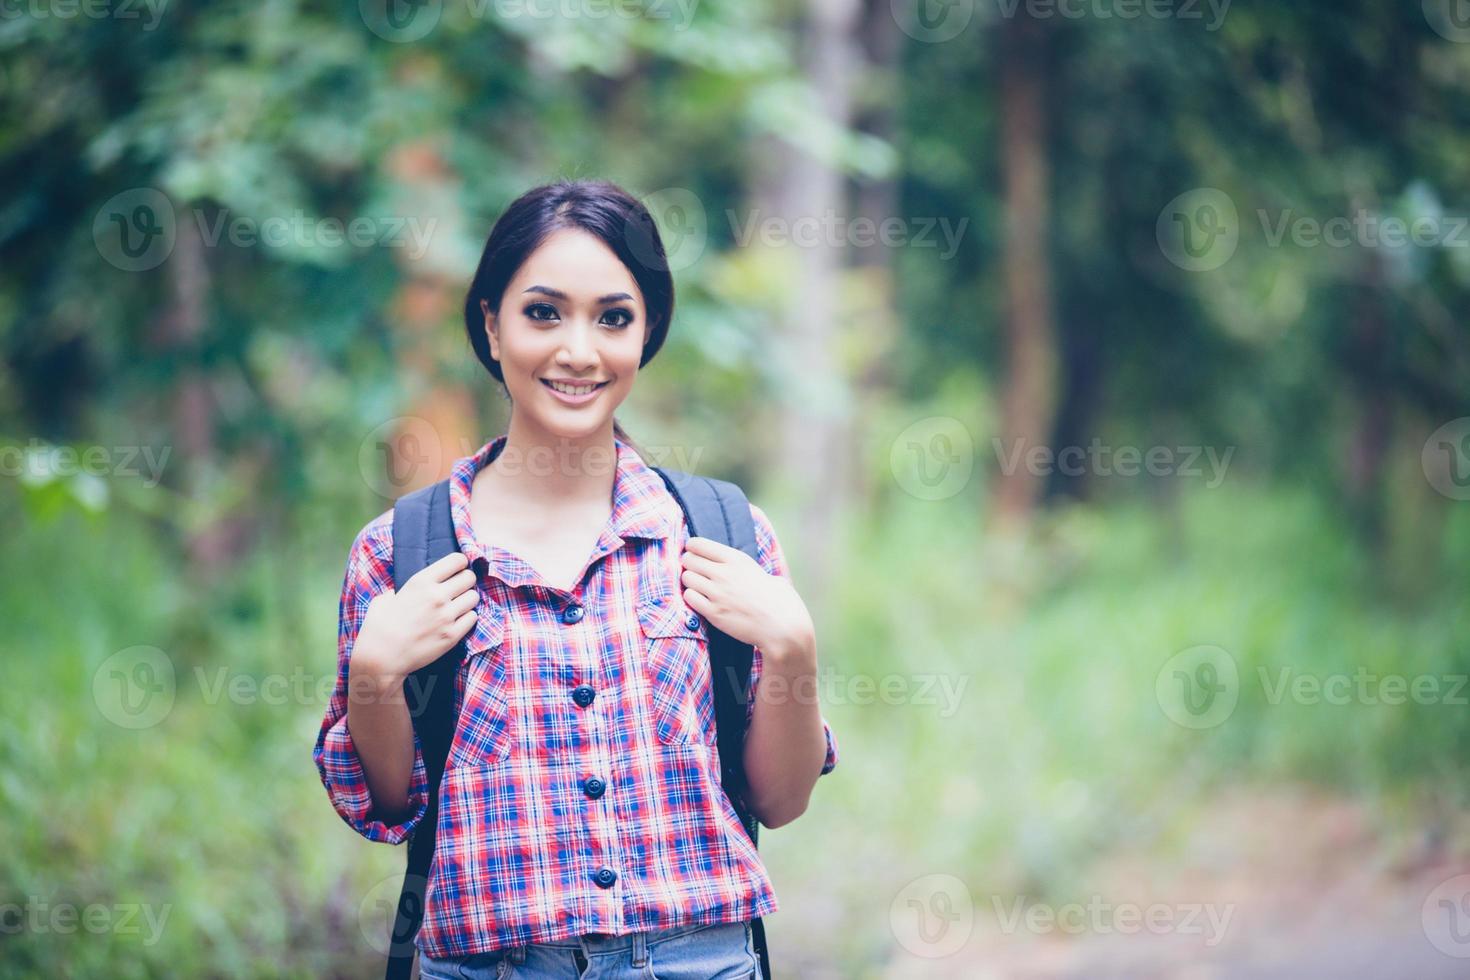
(1058, 750)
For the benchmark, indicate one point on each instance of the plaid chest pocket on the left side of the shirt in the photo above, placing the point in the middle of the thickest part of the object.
(483, 734)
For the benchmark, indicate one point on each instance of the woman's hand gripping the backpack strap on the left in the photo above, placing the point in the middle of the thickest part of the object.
(405, 631)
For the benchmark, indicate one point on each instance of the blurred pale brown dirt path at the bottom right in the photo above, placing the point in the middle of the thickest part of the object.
(1287, 887)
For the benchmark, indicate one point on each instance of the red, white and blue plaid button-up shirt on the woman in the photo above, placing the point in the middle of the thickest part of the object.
(583, 788)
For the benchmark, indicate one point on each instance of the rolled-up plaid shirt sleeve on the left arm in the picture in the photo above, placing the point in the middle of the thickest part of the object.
(370, 572)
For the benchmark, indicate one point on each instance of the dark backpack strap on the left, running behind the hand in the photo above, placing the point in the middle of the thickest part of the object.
(423, 534)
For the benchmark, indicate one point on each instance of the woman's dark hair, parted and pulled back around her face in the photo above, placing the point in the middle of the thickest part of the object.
(599, 208)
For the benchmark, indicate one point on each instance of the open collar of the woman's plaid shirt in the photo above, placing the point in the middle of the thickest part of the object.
(643, 508)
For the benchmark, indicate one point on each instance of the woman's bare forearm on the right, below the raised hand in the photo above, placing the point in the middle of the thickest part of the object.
(786, 744)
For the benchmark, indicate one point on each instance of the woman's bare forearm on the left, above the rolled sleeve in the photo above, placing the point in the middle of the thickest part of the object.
(383, 732)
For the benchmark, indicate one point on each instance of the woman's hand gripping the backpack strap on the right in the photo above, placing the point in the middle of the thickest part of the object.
(731, 590)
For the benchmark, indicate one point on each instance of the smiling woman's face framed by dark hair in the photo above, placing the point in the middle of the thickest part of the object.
(570, 336)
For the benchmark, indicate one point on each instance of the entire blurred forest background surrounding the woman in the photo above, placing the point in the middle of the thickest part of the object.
(1102, 364)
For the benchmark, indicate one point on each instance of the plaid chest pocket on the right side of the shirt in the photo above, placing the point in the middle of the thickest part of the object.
(678, 671)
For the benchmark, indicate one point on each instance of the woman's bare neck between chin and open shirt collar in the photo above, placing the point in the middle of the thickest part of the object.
(539, 466)
